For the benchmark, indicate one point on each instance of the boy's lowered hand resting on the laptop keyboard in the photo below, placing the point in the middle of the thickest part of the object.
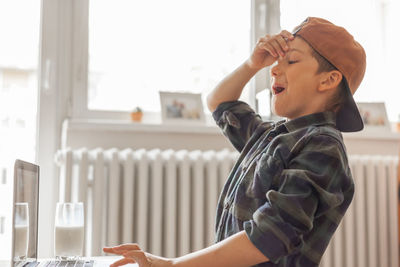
(133, 254)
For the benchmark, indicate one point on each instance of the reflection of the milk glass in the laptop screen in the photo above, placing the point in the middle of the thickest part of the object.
(21, 230)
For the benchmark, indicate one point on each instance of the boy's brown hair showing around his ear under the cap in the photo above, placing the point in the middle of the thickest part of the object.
(325, 66)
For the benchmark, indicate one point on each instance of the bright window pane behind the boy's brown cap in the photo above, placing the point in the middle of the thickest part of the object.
(372, 23)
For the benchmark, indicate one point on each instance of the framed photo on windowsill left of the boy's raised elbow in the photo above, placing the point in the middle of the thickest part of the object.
(181, 108)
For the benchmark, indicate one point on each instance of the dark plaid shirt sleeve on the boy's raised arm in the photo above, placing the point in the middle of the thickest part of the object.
(237, 121)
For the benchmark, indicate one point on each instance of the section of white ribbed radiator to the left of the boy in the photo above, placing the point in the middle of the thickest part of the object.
(163, 200)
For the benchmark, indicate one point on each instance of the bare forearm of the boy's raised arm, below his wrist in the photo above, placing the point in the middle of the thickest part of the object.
(231, 87)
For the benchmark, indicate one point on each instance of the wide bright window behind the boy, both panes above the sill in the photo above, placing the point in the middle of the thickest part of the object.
(190, 46)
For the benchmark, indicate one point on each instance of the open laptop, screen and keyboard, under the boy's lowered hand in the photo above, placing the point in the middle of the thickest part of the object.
(25, 238)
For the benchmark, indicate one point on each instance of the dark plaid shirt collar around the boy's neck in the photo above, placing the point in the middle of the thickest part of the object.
(321, 118)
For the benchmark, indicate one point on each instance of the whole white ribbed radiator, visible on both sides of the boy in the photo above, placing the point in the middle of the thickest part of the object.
(166, 202)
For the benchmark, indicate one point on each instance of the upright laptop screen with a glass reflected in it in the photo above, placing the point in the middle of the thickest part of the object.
(25, 211)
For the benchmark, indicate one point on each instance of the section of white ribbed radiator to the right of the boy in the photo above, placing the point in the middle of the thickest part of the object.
(368, 233)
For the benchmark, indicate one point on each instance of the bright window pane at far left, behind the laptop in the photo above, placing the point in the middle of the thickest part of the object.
(19, 47)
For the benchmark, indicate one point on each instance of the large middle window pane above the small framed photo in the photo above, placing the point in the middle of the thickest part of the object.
(137, 48)
